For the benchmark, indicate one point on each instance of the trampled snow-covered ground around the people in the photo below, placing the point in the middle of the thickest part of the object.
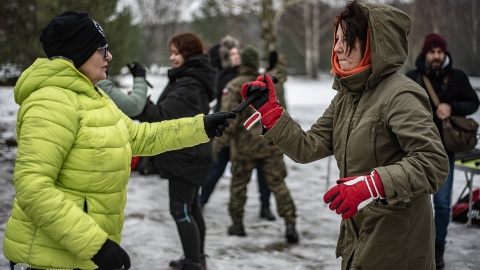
(150, 236)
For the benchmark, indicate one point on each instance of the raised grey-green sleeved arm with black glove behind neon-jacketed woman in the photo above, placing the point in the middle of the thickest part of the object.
(131, 104)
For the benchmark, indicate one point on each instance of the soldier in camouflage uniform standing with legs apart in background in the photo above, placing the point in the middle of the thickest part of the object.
(248, 150)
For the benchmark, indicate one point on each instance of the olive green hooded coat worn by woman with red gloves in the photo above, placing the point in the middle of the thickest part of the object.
(379, 120)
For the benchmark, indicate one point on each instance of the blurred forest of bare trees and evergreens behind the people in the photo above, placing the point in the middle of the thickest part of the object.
(302, 30)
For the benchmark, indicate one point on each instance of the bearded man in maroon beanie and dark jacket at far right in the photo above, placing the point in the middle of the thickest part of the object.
(457, 97)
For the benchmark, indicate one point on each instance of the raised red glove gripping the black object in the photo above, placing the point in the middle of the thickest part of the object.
(268, 105)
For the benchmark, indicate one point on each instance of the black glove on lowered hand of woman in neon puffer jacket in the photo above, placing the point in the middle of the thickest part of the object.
(111, 257)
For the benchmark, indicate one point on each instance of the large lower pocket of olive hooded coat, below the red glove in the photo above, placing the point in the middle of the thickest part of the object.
(383, 241)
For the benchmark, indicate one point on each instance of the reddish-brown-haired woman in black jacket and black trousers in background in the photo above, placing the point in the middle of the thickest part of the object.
(188, 92)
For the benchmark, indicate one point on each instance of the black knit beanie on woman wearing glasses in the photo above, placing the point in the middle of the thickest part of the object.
(73, 35)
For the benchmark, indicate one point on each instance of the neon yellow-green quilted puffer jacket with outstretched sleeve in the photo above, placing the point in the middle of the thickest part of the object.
(73, 165)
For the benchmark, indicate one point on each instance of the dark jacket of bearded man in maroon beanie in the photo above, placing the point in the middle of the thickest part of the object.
(452, 86)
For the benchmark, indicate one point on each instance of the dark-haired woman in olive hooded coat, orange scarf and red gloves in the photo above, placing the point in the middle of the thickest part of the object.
(379, 128)
